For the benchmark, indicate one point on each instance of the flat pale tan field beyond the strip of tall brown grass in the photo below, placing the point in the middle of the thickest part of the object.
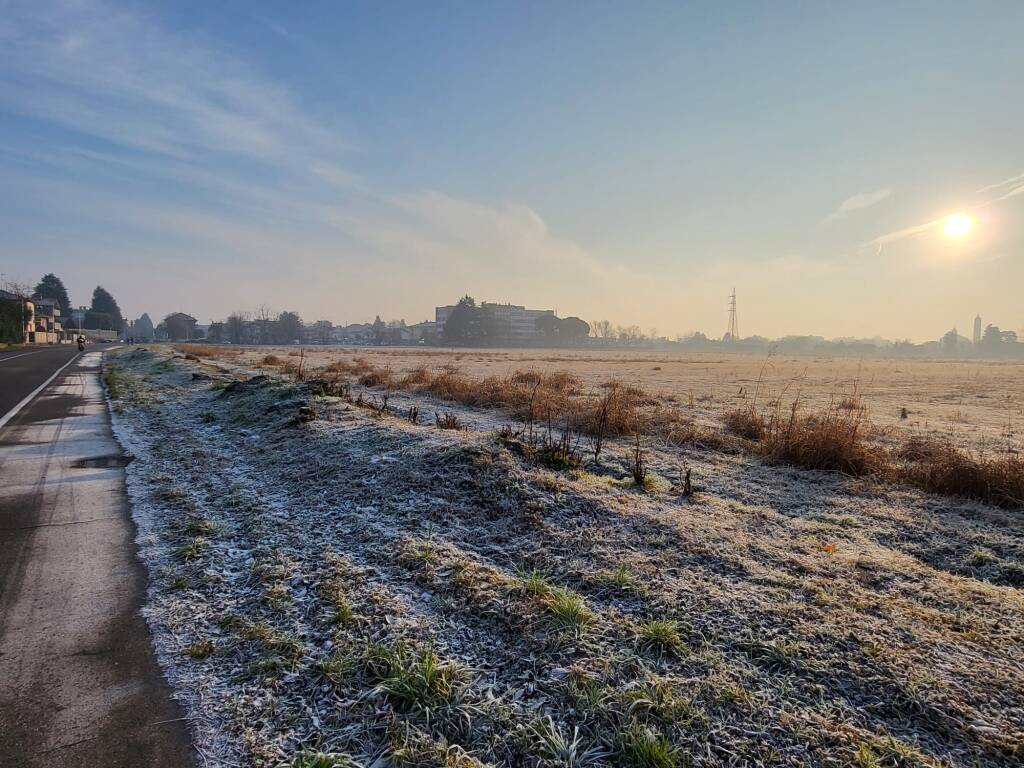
(975, 404)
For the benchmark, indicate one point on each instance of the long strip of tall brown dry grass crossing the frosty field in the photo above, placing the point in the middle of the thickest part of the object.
(832, 440)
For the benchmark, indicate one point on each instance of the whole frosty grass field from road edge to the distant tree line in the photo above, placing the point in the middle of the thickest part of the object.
(409, 571)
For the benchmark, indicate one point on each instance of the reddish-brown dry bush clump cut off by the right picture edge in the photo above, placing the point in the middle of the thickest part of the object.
(943, 468)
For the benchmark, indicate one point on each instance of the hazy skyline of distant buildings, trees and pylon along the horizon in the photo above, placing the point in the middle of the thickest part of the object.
(45, 315)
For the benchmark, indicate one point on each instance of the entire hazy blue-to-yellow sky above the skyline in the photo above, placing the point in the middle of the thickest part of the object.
(631, 162)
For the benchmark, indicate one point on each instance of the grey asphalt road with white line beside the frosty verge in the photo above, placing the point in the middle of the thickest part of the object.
(79, 686)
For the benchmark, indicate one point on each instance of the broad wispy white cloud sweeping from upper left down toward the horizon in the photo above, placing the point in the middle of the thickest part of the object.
(202, 153)
